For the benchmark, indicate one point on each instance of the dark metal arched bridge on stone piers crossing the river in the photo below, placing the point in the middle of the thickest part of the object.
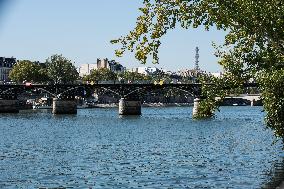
(64, 94)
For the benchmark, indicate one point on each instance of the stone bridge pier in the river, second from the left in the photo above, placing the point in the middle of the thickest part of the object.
(64, 106)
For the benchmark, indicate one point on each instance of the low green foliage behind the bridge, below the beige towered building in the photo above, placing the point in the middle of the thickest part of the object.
(101, 74)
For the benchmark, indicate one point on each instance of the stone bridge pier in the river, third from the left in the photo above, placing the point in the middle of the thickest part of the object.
(129, 107)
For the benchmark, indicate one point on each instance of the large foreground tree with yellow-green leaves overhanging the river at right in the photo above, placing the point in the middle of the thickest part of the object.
(253, 48)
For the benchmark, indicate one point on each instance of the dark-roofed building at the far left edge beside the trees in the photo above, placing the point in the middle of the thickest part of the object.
(6, 65)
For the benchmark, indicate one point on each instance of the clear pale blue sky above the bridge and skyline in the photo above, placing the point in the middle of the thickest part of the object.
(81, 31)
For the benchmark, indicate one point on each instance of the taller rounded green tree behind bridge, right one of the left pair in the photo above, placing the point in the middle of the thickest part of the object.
(60, 70)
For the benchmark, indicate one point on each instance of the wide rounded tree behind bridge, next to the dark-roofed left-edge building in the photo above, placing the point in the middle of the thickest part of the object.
(26, 70)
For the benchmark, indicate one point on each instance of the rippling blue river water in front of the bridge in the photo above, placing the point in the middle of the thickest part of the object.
(163, 148)
